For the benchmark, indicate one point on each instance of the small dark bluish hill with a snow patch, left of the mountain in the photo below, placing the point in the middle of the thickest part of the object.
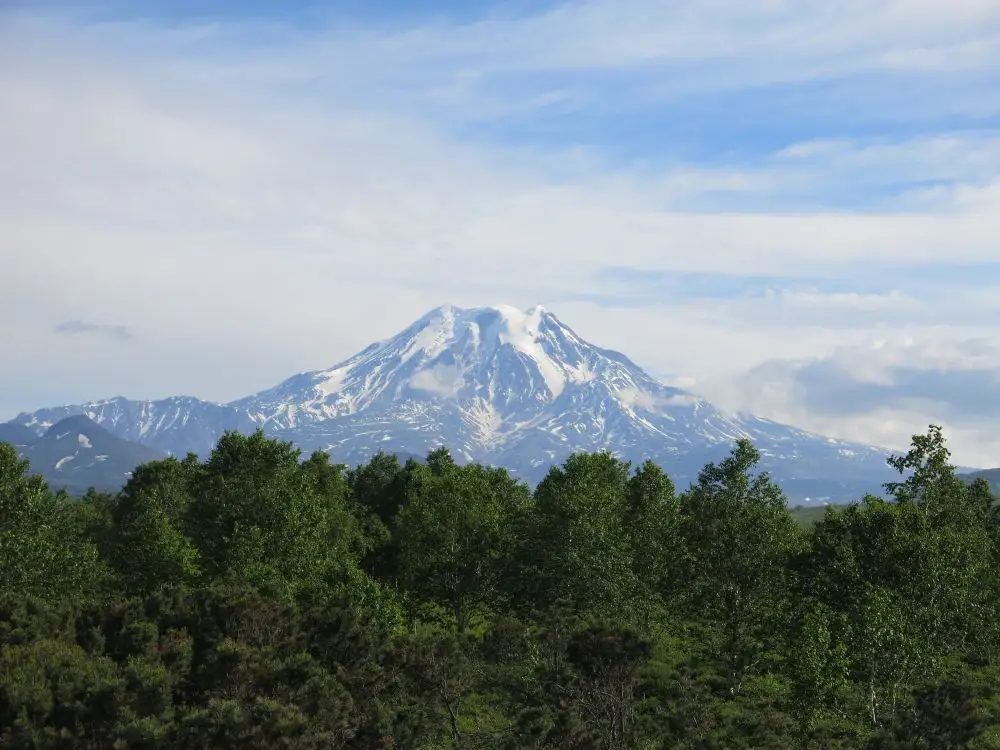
(76, 453)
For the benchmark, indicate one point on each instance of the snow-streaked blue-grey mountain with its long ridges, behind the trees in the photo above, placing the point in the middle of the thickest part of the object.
(497, 385)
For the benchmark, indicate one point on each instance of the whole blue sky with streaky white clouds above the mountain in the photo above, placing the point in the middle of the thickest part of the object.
(743, 196)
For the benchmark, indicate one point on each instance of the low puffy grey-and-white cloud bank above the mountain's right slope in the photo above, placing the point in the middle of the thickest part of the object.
(883, 392)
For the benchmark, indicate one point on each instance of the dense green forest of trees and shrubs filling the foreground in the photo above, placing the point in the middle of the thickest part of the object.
(262, 599)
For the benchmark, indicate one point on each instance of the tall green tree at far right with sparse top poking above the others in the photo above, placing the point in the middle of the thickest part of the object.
(913, 580)
